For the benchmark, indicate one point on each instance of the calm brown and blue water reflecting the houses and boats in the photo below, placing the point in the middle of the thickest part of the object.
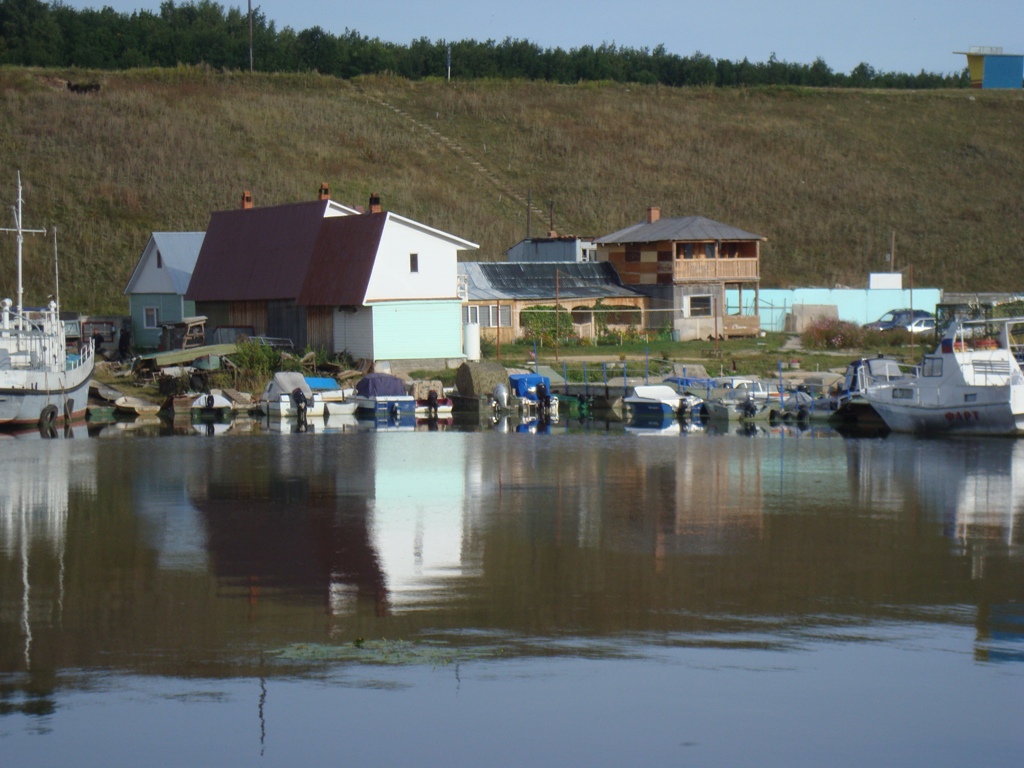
(465, 599)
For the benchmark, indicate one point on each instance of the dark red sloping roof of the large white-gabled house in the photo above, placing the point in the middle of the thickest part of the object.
(287, 252)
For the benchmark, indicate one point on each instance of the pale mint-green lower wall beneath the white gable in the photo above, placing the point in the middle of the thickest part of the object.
(415, 330)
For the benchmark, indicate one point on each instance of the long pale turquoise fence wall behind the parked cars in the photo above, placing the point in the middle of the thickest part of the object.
(856, 306)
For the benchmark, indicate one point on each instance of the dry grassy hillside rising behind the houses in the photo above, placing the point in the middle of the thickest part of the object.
(828, 177)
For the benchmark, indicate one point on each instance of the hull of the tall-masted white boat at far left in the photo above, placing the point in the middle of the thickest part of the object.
(26, 395)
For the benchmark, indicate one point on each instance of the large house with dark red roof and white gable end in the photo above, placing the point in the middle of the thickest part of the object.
(373, 284)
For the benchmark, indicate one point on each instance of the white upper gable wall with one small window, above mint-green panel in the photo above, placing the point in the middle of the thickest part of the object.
(392, 278)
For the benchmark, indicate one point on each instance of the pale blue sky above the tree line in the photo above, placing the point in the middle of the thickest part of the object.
(903, 36)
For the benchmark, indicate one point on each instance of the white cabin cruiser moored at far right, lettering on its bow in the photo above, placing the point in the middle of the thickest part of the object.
(972, 385)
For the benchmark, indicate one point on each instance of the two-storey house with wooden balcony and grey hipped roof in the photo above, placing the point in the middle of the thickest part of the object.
(686, 266)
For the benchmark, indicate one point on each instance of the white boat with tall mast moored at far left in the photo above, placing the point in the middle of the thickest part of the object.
(40, 381)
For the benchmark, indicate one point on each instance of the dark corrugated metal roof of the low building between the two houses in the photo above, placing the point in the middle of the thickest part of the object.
(527, 281)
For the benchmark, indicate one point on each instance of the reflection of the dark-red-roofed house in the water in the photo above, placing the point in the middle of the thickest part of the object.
(372, 524)
